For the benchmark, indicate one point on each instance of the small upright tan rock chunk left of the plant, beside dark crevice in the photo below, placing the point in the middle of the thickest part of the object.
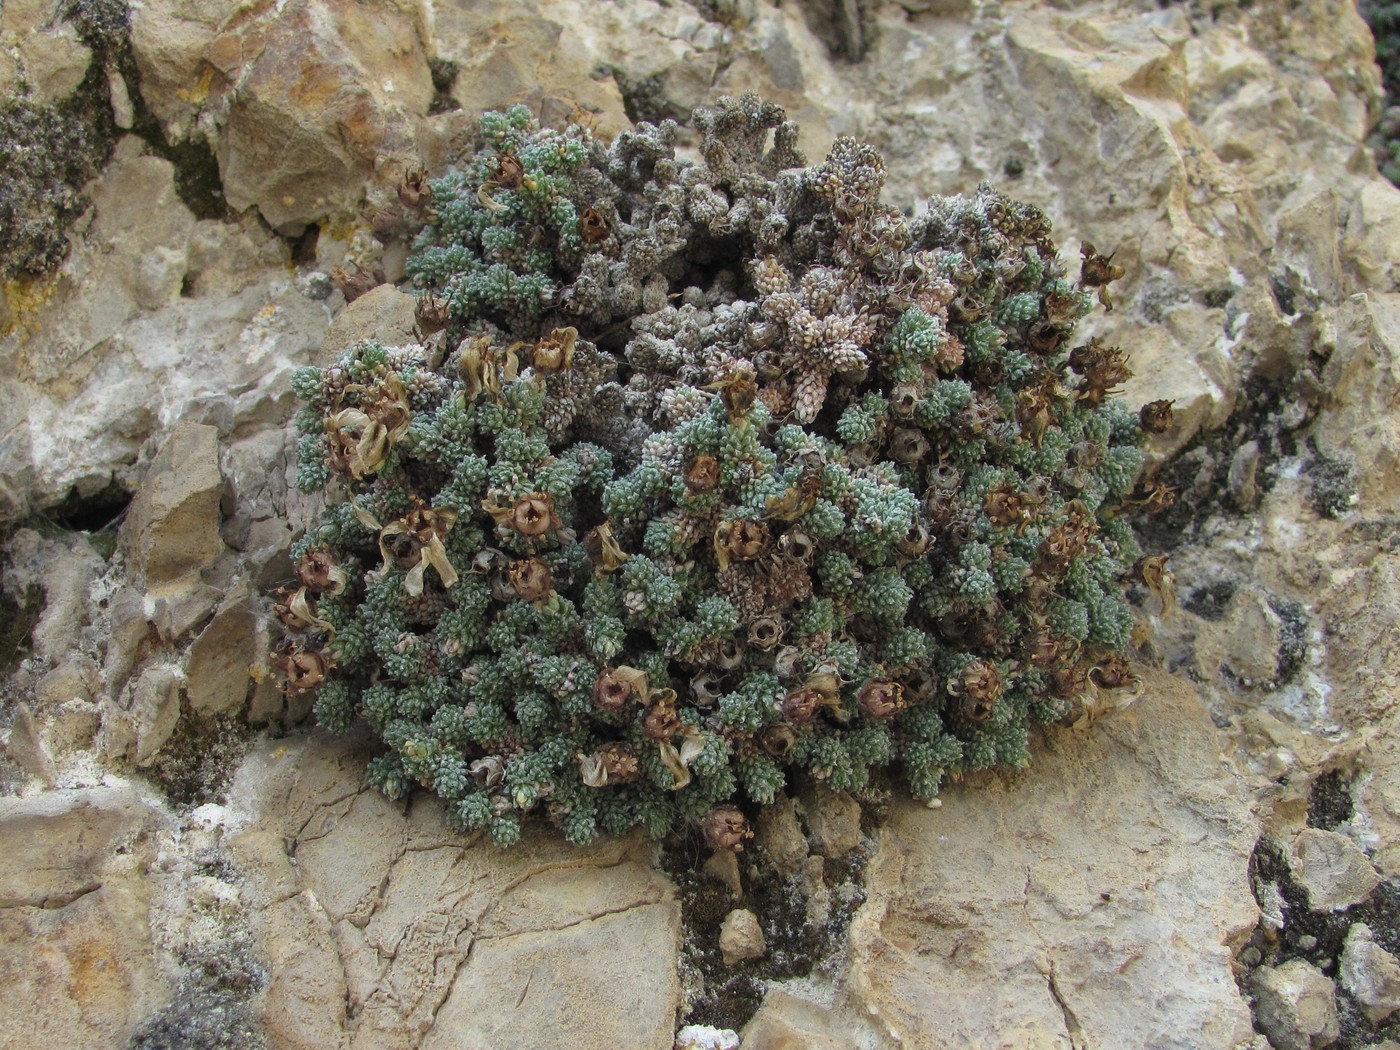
(171, 531)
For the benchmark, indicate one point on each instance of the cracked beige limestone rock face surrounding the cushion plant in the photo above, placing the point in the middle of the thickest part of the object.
(176, 874)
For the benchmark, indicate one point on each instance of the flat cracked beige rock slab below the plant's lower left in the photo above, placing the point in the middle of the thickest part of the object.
(439, 940)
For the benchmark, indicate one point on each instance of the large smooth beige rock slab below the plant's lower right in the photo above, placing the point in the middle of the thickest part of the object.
(1056, 908)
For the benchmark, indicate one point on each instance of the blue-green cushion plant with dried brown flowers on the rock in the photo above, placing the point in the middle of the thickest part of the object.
(729, 470)
